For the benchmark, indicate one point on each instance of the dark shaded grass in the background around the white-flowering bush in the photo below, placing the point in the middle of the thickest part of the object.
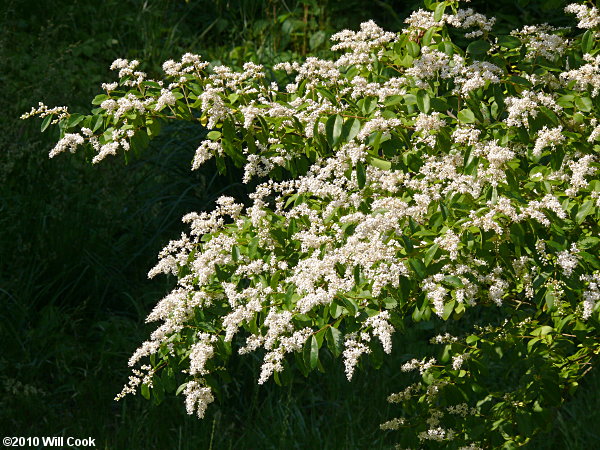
(76, 242)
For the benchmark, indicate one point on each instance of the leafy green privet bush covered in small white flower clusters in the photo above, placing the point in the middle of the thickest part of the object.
(443, 175)
